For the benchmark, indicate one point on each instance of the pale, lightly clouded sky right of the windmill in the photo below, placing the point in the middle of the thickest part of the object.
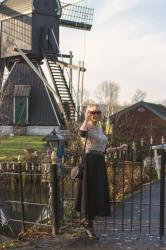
(127, 45)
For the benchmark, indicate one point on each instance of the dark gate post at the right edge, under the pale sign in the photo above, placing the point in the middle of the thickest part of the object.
(162, 192)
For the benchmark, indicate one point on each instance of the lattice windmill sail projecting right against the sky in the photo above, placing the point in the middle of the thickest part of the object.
(76, 16)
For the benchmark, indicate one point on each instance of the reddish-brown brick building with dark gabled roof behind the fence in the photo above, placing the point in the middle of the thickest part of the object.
(142, 122)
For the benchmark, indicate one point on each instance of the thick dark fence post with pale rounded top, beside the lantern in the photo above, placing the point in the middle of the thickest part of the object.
(54, 195)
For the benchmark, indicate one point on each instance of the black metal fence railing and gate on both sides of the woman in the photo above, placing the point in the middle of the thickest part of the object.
(43, 195)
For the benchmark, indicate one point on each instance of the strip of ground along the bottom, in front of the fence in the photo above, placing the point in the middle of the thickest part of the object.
(111, 241)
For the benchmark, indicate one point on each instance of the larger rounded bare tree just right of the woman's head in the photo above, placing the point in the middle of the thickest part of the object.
(107, 94)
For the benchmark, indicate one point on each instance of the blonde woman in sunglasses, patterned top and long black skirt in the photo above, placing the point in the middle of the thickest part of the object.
(93, 191)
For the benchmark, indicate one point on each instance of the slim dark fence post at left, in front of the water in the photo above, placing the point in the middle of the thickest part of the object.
(21, 195)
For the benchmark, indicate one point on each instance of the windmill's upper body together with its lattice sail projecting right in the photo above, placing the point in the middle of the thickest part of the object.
(29, 24)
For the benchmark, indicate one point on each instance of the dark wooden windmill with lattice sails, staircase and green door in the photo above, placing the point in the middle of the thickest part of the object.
(35, 91)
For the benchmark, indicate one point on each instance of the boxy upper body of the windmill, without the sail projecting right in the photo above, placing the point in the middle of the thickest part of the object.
(27, 24)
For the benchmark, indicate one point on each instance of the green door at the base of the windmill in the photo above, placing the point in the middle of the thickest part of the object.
(21, 110)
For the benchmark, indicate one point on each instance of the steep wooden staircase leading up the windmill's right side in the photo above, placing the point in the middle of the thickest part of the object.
(61, 88)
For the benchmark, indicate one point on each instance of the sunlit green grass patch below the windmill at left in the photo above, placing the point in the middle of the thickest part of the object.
(11, 147)
